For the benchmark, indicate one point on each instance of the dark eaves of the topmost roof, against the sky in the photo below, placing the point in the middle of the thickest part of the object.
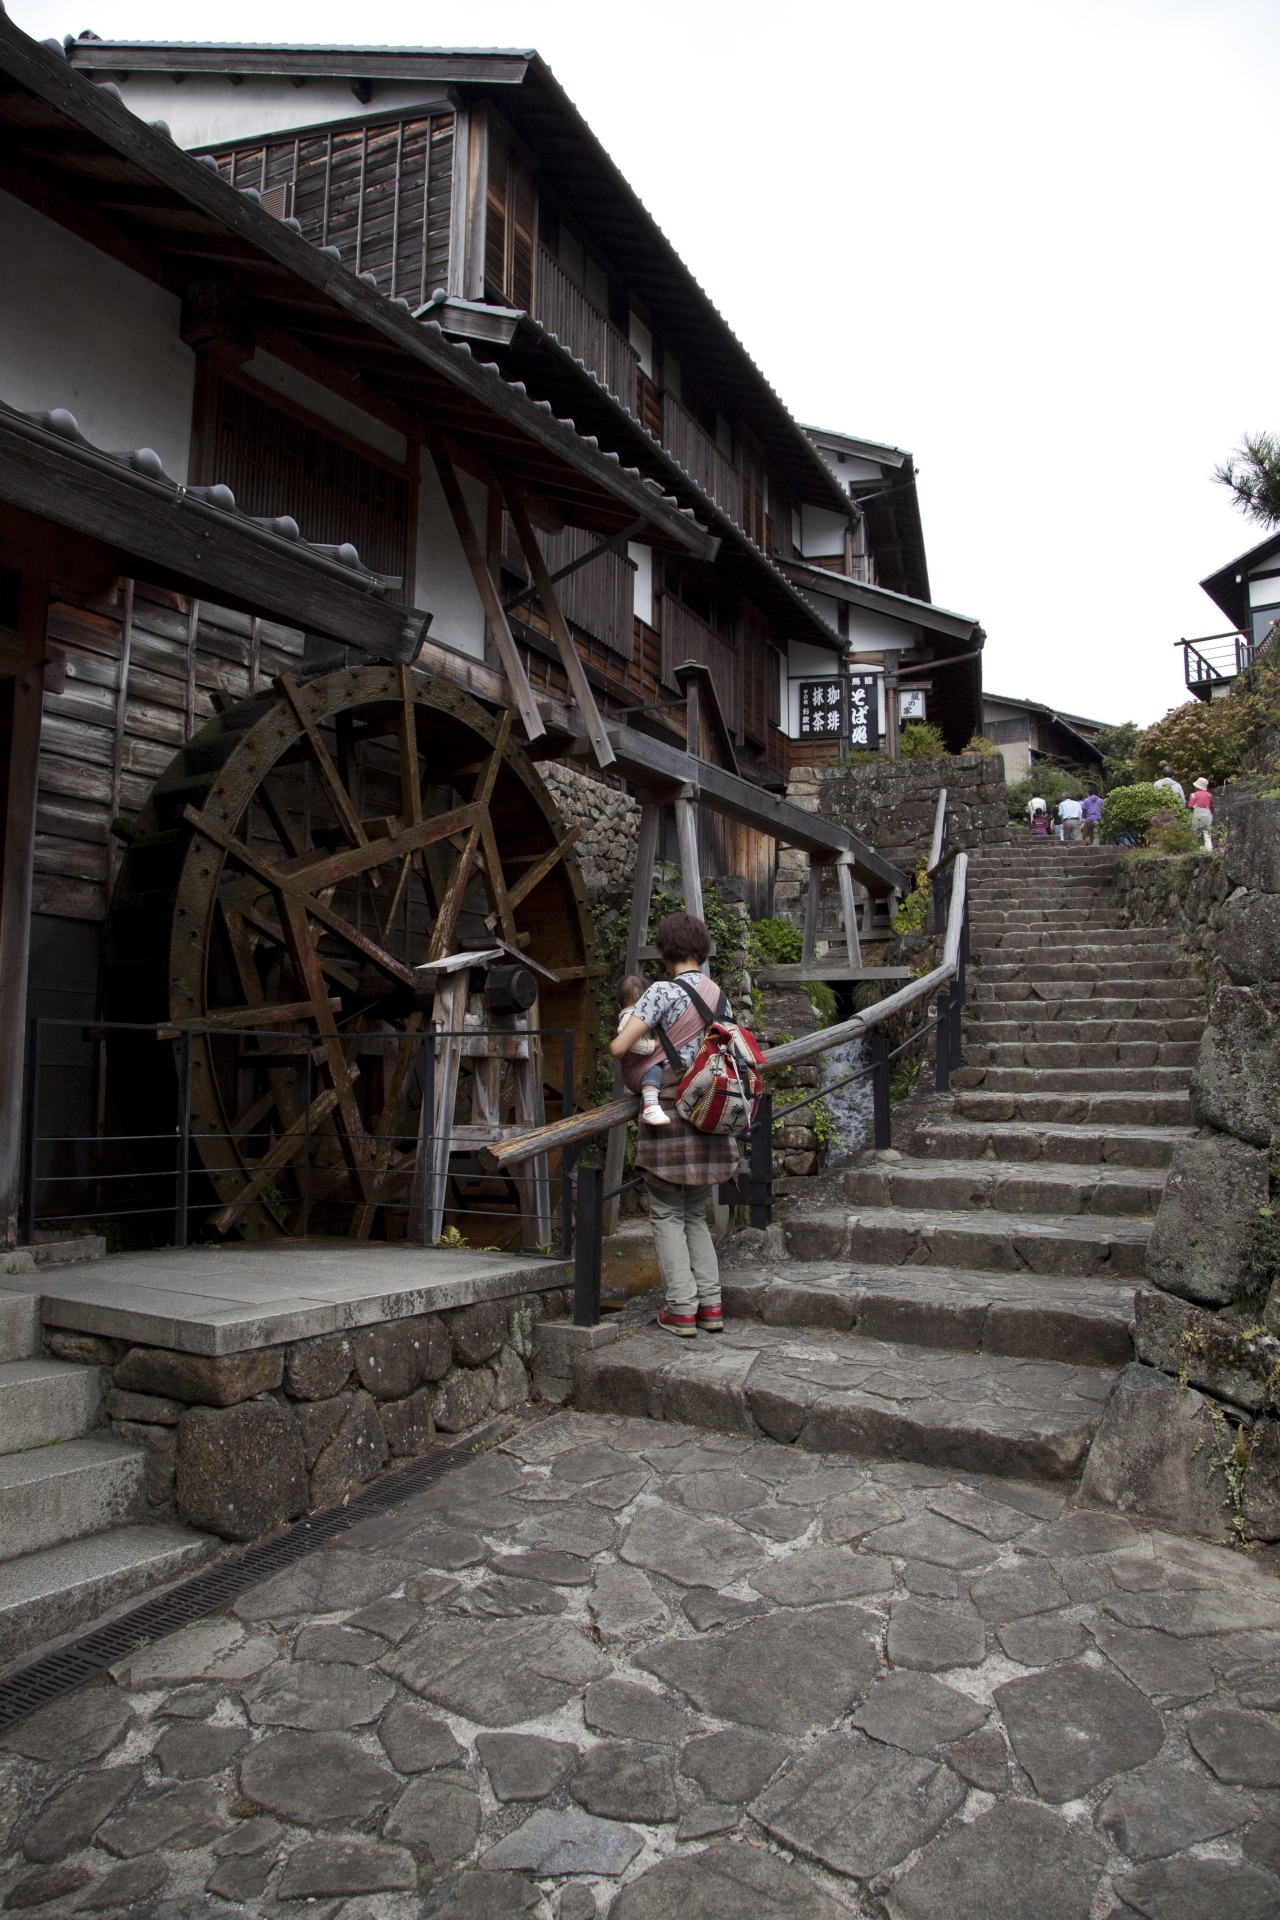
(623, 231)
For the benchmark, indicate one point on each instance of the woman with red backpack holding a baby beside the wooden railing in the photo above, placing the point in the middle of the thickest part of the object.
(680, 1164)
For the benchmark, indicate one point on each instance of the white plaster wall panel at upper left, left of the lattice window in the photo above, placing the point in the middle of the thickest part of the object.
(85, 333)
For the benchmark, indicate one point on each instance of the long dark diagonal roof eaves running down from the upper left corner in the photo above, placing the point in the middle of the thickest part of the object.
(72, 133)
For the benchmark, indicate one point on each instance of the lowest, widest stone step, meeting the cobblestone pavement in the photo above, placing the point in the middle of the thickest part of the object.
(849, 1395)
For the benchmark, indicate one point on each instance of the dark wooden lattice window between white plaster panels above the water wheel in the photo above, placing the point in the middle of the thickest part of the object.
(279, 460)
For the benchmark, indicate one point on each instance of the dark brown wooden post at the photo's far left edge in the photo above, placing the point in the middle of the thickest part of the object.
(22, 700)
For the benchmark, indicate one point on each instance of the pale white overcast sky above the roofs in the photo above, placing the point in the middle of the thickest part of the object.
(1031, 241)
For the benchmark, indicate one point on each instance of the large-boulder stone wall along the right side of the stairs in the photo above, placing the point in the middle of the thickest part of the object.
(1193, 1433)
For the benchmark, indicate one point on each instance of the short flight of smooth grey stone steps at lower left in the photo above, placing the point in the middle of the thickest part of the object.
(74, 1533)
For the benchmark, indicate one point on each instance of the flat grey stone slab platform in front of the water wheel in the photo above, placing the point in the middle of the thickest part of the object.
(224, 1301)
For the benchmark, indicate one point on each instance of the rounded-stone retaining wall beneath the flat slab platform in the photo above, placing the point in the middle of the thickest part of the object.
(239, 1445)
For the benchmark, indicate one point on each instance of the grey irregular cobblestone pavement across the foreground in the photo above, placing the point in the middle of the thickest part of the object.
(667, 1675)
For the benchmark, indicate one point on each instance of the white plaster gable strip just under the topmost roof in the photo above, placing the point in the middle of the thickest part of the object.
(206, 108)
